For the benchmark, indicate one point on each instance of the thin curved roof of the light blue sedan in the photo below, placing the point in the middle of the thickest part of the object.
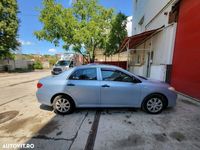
(94, 65)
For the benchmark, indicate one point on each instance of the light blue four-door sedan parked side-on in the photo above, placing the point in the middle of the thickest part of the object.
(103, 86)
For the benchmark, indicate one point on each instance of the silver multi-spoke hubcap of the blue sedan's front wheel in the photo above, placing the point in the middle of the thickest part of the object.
(154, 105)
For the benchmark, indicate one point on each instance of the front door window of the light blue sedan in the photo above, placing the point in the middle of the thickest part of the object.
(115, 75)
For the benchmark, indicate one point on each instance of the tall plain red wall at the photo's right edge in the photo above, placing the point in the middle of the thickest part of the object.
(185, 75)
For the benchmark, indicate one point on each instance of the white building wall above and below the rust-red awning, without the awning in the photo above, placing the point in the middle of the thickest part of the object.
(149, 15)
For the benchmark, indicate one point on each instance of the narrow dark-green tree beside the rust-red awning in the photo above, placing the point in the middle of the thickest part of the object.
(117, 34)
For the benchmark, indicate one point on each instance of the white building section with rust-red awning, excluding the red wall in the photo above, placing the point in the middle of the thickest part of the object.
(151, 46)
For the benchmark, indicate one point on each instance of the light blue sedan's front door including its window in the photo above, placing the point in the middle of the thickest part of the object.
(118, 88)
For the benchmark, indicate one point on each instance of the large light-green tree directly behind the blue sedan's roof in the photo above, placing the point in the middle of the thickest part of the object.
(85, 24)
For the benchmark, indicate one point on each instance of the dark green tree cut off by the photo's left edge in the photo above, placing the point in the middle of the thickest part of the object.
(9, 23)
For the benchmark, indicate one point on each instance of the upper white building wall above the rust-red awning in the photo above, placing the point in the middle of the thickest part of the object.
(153, 12)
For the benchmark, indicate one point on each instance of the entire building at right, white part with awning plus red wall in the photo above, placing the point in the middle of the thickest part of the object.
(165, 43)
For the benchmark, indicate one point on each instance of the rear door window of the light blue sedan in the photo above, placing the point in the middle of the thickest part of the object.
(84, 74)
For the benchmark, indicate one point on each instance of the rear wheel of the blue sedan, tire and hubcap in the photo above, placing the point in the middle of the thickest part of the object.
(63, 105)
